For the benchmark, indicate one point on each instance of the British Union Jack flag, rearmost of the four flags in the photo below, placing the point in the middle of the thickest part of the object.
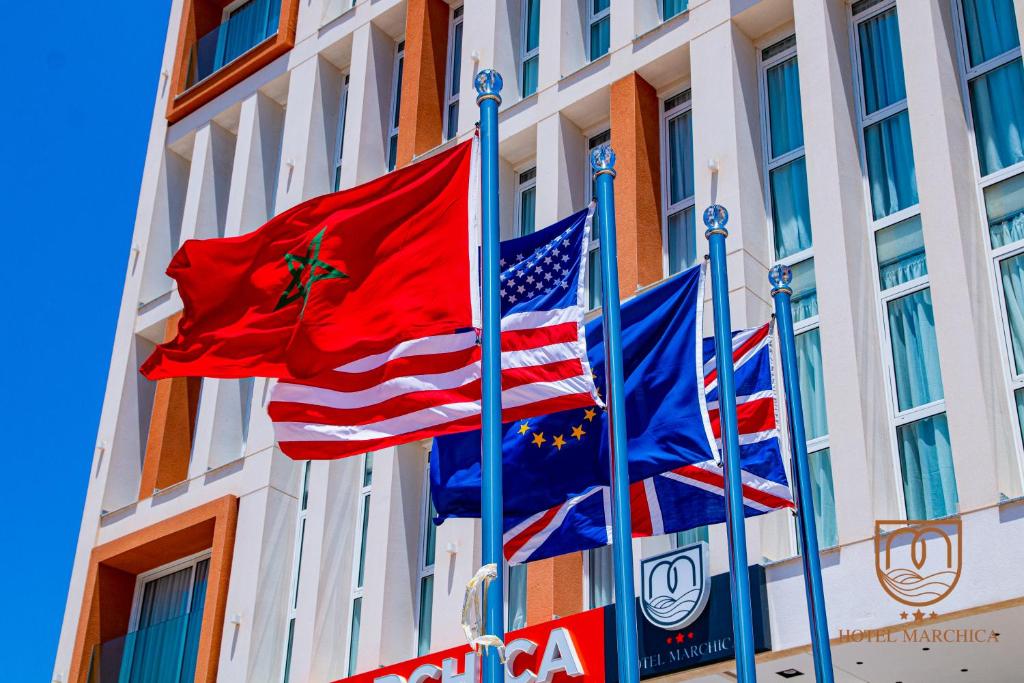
(691, 496)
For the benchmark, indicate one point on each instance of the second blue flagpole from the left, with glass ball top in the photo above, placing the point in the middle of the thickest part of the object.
(603, 160)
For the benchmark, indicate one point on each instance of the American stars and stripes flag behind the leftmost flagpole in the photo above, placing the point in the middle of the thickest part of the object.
(432, 387)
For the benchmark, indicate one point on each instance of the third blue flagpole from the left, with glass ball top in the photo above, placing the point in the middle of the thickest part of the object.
(716, 219)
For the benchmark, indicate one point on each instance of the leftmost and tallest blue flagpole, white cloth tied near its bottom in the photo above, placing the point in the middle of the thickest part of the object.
(489, 88)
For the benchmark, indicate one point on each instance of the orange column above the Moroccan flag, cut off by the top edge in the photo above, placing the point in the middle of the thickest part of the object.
(422, 116)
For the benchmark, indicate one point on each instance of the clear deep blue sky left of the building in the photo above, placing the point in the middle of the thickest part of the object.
(80, 82)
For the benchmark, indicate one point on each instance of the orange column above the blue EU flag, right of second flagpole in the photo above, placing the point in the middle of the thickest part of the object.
(636, 140)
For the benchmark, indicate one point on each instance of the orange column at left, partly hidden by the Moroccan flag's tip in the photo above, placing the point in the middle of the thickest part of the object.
(173, 429)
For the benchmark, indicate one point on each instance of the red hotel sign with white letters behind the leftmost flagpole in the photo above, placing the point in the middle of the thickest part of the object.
(566, 651)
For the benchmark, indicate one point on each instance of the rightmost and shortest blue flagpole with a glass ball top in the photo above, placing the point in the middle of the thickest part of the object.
(781, 277)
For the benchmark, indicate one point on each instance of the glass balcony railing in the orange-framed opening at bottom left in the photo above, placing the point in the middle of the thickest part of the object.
(164, 653)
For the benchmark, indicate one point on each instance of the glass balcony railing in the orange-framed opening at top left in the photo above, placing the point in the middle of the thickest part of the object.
(245, 27)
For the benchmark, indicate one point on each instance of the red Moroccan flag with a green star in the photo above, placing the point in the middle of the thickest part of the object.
(334, 280)
